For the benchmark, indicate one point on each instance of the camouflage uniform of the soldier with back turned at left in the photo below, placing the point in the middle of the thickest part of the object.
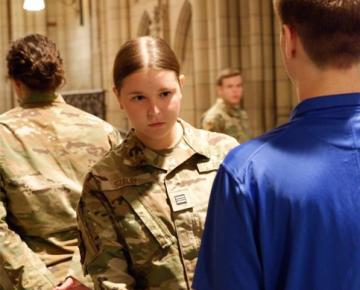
(46, 149)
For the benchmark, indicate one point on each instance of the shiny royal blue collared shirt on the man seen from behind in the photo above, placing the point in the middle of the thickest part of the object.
(284, 211)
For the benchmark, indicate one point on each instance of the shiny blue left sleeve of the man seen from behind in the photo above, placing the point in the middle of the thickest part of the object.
(228, 256)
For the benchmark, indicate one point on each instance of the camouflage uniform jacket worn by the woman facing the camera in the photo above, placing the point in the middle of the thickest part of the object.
(142, 213)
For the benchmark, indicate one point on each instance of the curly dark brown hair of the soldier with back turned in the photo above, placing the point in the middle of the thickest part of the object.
(35, 61)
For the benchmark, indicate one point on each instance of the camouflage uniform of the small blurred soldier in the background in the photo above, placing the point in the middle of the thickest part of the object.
(228, 120)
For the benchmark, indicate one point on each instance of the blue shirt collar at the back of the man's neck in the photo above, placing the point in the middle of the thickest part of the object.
(325, 102)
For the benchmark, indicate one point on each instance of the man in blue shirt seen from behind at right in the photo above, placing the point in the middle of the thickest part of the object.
(284, 212)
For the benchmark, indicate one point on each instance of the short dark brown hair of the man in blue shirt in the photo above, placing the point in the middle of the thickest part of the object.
(328, 29)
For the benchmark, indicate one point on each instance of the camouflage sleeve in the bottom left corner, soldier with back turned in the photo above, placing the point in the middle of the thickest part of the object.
(25, 270)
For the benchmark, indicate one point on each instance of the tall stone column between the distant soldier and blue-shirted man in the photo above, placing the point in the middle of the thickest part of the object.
(259, 56)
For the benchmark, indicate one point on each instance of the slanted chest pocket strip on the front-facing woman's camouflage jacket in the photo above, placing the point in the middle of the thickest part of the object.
(157, 229)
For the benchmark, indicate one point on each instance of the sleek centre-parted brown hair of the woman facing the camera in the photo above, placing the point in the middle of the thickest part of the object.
(140, 53)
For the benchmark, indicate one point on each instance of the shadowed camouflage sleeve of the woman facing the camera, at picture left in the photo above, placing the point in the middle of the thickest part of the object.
(102, 255)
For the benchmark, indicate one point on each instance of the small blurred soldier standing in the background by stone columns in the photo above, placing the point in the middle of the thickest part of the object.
(226, 115)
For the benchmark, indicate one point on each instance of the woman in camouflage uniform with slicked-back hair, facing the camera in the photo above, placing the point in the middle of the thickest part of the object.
(142, 212)
